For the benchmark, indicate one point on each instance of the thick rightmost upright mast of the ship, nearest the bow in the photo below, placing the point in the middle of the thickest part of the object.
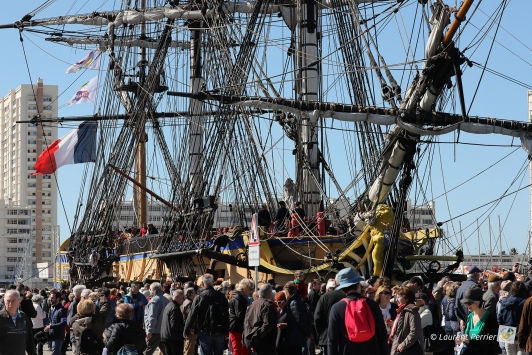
(309, 90)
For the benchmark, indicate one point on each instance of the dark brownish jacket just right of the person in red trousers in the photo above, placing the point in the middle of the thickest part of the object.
(260, 326)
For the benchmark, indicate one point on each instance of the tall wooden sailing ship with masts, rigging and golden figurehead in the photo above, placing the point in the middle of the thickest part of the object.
(208, 107)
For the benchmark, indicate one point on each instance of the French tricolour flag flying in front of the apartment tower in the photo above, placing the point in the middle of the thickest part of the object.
(77, 146)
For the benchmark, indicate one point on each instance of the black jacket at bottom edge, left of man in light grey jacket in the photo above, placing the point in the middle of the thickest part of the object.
(124, 331)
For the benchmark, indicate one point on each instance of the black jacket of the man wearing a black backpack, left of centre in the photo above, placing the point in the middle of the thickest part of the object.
(198, 317)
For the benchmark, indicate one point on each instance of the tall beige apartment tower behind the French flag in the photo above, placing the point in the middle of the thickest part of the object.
(22, 143)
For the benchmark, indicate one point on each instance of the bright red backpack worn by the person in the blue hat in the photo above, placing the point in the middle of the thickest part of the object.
(359, 320)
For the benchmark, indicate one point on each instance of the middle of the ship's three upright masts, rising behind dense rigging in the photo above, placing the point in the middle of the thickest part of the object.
(195, 144)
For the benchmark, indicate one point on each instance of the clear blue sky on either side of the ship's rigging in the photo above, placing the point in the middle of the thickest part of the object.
(497, 97)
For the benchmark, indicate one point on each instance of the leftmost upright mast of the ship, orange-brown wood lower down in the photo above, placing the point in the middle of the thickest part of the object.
(140, 163)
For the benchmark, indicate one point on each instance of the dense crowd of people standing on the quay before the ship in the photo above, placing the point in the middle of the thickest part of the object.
(345, 315)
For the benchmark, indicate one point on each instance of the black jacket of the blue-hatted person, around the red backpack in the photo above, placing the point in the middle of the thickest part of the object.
(339, 344)
